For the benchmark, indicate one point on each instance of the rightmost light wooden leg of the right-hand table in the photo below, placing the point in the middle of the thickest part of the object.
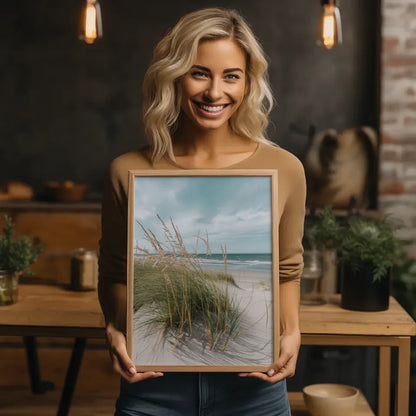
(403, 377)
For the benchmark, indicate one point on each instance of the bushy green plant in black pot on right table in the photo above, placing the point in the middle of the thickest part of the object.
(367, 249)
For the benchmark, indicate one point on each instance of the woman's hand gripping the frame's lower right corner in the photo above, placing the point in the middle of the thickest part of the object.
(286, 364)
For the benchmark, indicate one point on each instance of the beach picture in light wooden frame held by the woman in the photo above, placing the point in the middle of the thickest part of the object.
(203, 284)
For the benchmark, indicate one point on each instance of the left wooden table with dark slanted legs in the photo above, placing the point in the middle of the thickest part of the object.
(54, 311)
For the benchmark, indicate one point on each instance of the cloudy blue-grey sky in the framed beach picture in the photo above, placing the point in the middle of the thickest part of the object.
(235, 211)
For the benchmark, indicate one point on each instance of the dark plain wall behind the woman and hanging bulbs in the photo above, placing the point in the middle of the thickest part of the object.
(68, 108)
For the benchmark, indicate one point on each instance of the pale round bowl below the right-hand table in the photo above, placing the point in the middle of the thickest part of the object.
(330, 399)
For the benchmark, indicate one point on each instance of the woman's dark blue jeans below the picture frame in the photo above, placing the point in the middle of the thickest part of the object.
(202, 394)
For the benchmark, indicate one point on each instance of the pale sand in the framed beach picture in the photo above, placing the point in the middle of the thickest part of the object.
(251, 346)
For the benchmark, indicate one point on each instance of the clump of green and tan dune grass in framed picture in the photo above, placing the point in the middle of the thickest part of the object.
(180, 295)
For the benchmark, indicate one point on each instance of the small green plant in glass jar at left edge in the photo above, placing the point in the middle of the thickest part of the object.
(16, 257)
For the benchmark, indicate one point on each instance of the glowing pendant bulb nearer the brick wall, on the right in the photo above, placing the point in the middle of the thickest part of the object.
(330, 32)
